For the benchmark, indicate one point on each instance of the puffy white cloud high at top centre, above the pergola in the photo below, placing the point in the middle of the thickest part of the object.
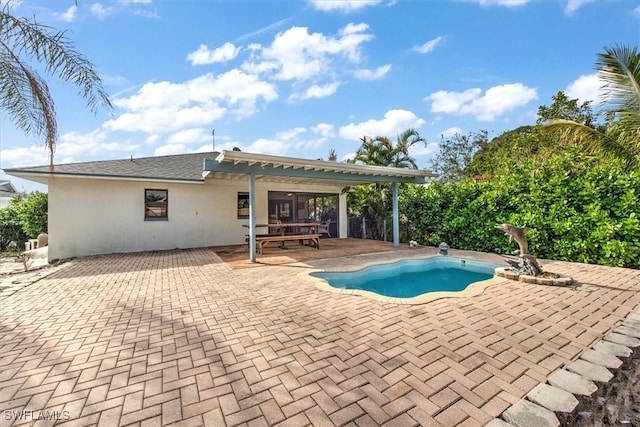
(297, 55)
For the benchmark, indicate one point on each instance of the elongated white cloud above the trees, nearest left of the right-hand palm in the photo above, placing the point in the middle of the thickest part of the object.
(495, 102)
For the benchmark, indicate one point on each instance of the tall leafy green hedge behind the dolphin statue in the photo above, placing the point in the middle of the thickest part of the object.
(577, 211)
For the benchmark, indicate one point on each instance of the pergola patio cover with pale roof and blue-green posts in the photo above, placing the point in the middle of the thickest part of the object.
(231, 164)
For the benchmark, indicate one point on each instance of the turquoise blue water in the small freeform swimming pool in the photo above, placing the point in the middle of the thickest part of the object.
(410, 278)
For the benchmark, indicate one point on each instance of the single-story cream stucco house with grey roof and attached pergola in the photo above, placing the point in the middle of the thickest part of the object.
(194, 200)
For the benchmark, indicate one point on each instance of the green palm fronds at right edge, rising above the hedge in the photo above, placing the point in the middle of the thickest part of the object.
(619, 69)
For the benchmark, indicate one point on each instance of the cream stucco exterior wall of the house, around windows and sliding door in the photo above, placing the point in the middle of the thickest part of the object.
(92, 216)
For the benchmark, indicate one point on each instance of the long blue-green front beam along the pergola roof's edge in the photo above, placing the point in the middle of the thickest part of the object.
(259, 169)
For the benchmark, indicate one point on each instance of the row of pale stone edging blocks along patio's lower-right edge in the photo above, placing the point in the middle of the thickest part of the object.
(569, 389)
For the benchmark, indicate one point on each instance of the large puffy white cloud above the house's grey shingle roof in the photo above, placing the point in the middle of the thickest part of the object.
(166, 107)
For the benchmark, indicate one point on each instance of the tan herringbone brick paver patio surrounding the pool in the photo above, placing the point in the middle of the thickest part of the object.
(178, 337)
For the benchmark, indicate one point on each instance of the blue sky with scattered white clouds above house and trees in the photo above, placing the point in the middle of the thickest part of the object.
(299, 78)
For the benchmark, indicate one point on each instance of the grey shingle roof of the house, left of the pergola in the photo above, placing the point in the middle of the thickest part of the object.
(179, 167)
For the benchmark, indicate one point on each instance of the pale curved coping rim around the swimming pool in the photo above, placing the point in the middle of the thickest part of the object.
(473, 289)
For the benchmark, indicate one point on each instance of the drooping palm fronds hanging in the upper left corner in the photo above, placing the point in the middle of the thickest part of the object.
(24, 93)
